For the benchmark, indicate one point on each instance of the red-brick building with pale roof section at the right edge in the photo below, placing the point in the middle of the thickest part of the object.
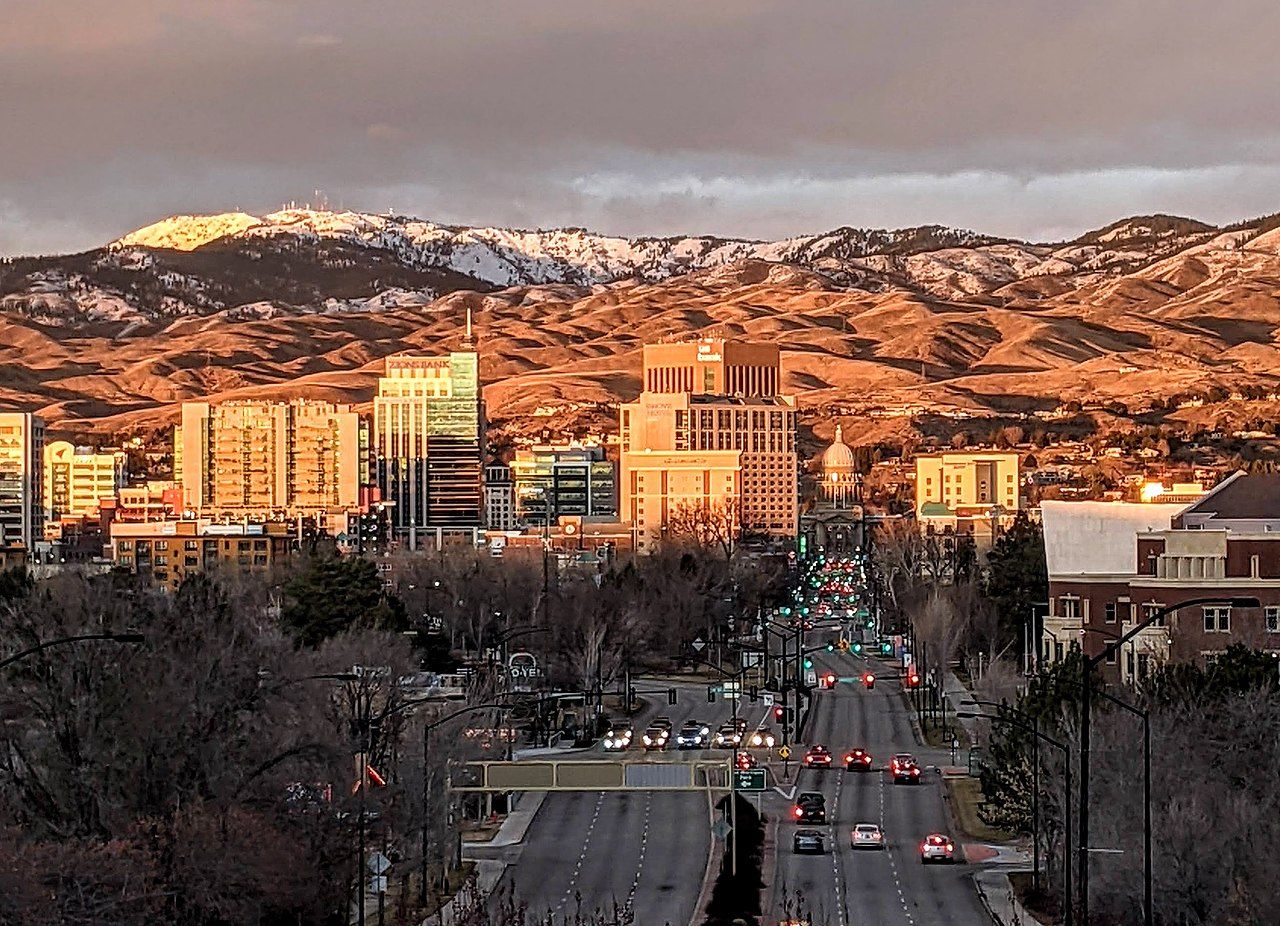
(1112, 565)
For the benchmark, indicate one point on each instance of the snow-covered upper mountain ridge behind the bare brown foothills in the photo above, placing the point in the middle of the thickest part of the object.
(307, 261)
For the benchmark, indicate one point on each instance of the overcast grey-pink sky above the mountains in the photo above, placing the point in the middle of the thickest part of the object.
(1025, 118)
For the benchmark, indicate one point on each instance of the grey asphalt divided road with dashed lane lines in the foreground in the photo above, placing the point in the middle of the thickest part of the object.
(647, 851)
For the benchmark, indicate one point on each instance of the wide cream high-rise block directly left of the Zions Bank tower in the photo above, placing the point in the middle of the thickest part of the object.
(272, 459)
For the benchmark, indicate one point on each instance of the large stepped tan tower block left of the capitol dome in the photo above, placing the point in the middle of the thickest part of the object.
(712, 435)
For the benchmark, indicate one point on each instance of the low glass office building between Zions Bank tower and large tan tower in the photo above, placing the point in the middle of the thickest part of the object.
(564, 480)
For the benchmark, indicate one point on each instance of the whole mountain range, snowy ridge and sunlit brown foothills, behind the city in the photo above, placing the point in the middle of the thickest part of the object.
(309, 302)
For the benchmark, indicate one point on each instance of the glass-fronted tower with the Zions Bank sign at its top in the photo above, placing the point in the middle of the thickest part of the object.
(428, 444)
